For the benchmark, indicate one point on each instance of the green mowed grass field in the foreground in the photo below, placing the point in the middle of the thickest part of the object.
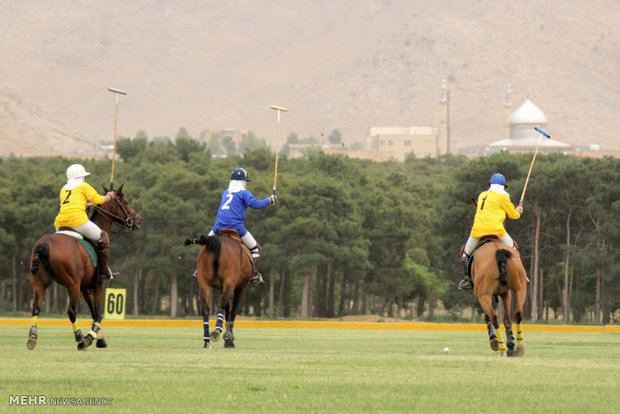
(313, 370)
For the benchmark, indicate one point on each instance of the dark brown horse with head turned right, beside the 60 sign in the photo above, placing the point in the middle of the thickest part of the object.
(62, 258)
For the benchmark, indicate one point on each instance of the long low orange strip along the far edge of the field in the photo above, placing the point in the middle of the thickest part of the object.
(407, 326)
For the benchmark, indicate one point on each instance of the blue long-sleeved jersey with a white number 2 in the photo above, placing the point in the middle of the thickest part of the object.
(231, 214)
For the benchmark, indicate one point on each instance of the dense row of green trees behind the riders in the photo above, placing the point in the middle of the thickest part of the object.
(347, 236)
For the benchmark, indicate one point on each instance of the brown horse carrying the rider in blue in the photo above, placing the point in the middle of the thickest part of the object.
(225, 264)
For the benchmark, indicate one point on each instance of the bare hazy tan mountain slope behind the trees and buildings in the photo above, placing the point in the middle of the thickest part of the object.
(343, 64)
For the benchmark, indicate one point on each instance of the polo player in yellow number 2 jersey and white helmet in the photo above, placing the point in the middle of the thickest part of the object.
(73, 197)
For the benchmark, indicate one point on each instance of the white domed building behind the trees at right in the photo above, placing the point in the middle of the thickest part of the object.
(523, 136)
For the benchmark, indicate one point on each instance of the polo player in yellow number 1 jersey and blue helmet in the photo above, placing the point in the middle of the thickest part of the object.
(493, 207)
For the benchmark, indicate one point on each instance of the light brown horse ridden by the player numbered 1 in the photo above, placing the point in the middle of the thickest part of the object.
(496, 270)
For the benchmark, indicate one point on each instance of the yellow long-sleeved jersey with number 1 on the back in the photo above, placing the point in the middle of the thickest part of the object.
(491, 212)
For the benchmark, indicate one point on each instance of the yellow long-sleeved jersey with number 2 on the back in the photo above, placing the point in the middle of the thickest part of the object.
(73, 205)
